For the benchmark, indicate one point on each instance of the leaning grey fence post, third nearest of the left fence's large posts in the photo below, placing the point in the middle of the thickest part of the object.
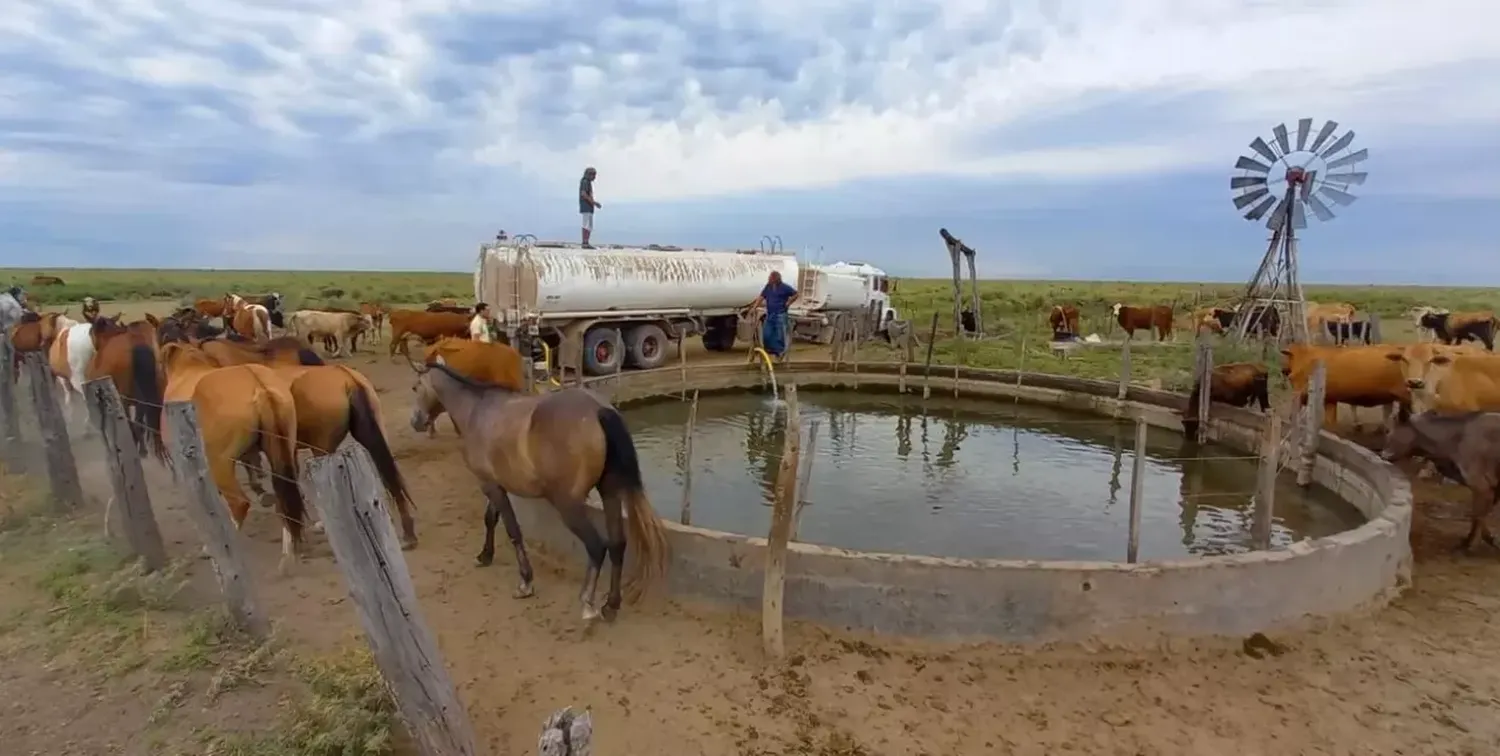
(133, 500)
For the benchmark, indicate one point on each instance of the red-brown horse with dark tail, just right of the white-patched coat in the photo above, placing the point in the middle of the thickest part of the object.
(130, 356)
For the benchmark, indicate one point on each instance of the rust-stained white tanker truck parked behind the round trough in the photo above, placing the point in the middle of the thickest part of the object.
(626, 305)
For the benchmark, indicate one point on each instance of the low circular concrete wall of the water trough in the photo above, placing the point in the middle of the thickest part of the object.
(1034, 602)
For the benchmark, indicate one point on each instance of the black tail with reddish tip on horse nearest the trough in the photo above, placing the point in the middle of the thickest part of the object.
(623, 470)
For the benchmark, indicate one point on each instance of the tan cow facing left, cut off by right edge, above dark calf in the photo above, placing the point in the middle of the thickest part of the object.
(1450, 379)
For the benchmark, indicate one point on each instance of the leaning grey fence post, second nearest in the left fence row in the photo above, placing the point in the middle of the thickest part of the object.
(212, 517)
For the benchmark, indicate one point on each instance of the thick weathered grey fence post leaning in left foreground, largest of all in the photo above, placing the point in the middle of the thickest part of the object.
(350, 505)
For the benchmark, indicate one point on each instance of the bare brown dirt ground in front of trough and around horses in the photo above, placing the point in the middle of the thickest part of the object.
(1421, 677)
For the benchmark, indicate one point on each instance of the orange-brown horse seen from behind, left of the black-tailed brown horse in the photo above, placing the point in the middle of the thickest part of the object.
(244, 412)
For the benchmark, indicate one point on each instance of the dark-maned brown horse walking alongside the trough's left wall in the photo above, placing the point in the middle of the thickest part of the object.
(554, 446)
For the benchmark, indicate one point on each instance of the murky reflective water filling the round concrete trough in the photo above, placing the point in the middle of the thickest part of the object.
(964, 478)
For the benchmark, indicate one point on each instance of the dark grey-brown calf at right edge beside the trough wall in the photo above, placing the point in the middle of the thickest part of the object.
(1465, 448)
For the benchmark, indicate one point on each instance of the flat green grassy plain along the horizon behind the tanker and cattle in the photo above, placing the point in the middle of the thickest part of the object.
(1015, 311)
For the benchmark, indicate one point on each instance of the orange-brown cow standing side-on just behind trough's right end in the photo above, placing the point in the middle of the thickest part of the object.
(1354, 376)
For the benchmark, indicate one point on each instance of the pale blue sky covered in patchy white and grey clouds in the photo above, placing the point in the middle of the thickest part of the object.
(1061, 139)
